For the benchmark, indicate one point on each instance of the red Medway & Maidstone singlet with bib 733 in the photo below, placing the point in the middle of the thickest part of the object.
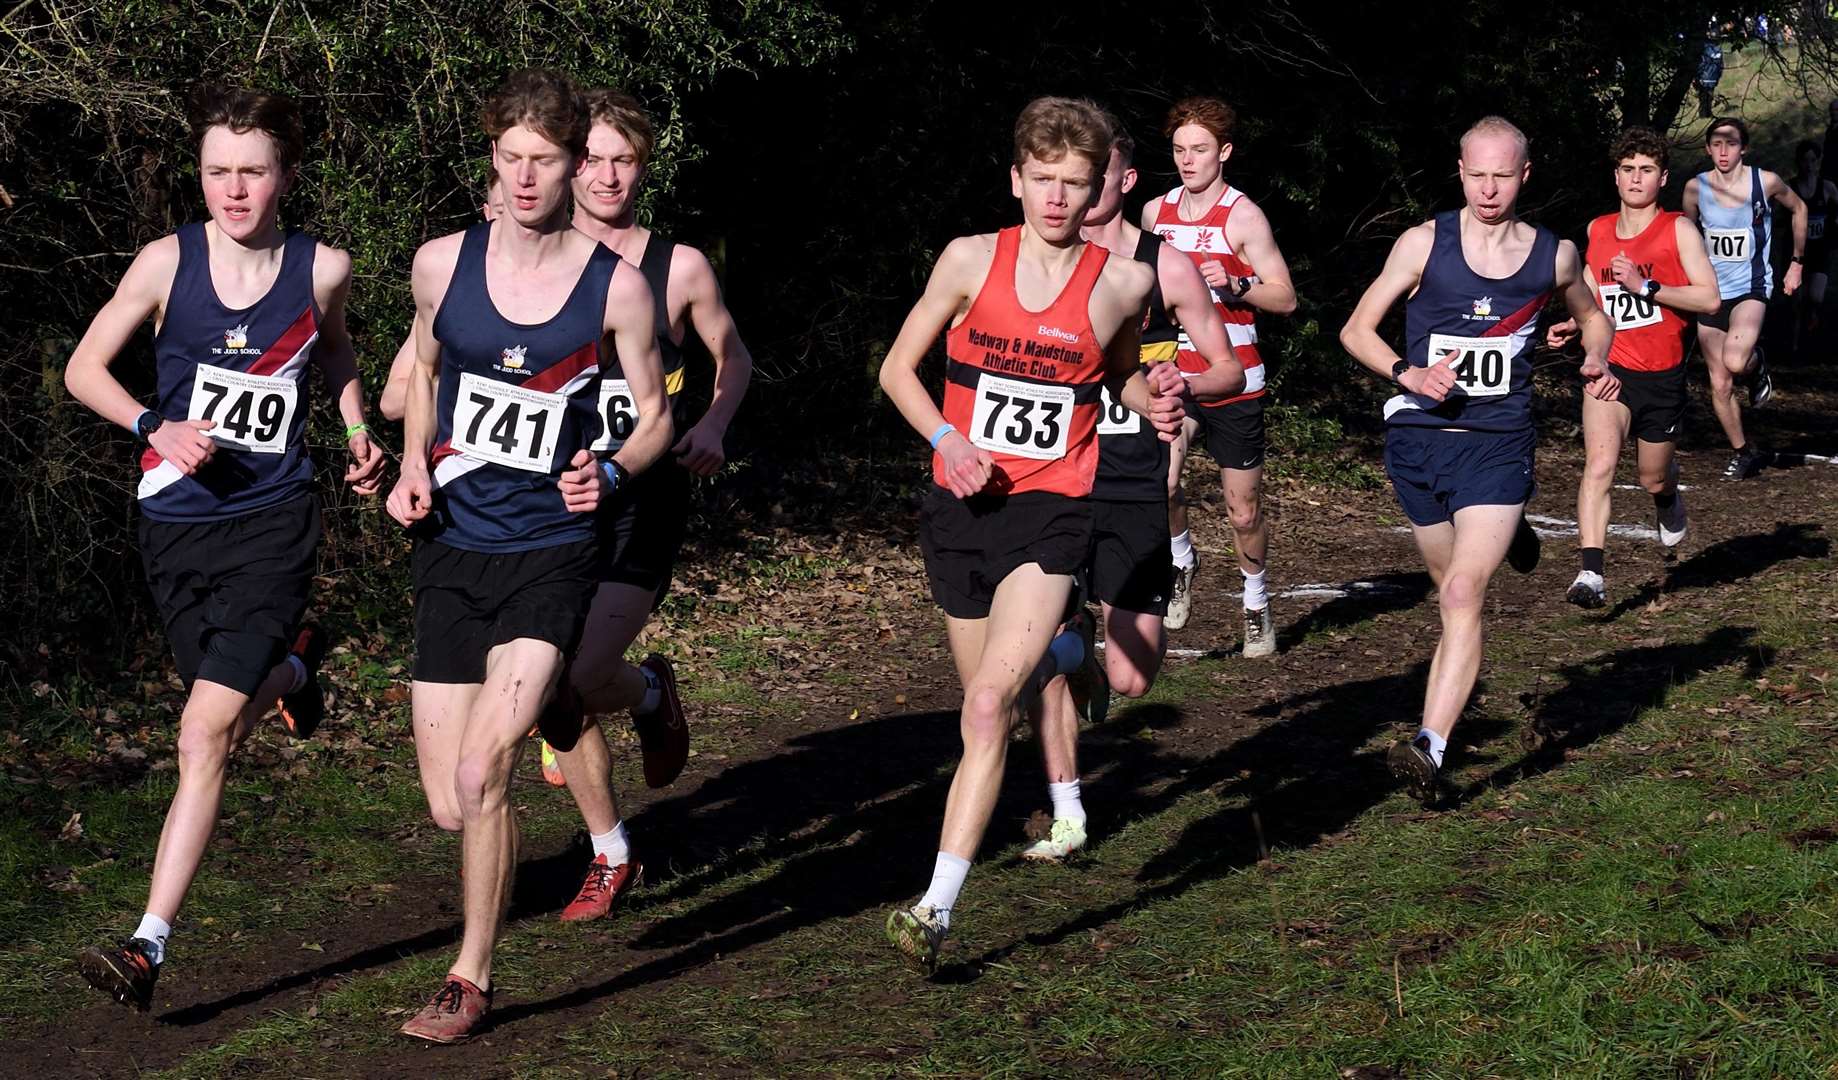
(1025, 385)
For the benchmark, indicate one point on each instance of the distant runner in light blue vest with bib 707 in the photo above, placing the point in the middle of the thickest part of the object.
(1730, 205)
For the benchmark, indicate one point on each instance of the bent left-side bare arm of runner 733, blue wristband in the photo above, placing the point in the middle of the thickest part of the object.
(947, 295)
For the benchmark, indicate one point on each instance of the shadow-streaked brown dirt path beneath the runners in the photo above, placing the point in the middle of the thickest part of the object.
(846, 791)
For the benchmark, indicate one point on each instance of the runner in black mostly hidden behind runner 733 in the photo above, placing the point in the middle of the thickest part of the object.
(1129, 568)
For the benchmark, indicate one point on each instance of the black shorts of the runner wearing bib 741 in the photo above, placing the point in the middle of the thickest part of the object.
(471, 602)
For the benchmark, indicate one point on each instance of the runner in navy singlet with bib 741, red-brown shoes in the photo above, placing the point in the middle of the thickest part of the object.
(501, 489)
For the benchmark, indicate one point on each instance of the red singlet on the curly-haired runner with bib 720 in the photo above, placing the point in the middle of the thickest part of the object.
(1648, 335)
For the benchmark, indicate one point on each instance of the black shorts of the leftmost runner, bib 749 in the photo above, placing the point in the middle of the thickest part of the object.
(231, 594)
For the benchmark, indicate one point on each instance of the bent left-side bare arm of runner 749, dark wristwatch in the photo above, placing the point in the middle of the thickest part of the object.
(141, 297)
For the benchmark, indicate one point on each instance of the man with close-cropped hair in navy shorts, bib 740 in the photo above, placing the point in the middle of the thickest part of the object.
(1460, 438)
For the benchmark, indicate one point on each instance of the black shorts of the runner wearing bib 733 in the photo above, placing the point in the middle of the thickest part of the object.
(973, 545)
